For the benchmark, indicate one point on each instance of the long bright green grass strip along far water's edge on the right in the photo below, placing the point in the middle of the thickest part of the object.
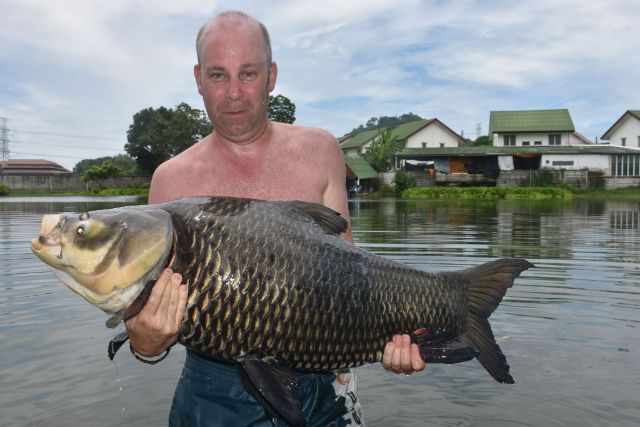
(493, 193)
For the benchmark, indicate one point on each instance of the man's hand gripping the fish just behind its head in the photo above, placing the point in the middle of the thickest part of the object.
(155, 328)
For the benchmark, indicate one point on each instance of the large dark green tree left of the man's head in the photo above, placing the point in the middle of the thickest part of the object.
(156, 135)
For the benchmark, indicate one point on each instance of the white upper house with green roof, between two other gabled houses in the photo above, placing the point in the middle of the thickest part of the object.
(534, 128)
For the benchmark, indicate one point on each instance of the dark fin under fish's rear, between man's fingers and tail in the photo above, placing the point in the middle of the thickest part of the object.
(442, 347)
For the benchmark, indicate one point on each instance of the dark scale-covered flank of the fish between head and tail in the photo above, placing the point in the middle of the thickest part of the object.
(326, 295)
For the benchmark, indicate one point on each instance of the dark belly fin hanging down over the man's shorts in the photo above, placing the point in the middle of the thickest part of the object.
(275, 387)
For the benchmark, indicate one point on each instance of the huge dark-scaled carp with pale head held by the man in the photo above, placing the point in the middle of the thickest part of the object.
(273, 288)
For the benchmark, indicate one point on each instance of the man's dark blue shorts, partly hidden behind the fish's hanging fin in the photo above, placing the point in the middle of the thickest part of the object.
(210, 393)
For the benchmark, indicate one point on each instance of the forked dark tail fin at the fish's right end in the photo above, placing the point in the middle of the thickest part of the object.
(488, 284)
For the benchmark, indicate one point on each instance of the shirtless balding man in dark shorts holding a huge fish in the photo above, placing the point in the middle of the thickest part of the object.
(247, 156)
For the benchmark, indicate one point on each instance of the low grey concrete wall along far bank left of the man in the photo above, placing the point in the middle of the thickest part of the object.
(70, 182)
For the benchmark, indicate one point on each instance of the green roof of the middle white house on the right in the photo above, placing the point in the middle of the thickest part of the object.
(530, 121)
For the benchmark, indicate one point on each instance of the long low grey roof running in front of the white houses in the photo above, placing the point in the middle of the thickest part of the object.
(500, 151)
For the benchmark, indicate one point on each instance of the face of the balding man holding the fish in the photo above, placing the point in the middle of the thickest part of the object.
(234, 80)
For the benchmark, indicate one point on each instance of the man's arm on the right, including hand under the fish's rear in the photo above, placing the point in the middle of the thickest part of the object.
(400, 355)
